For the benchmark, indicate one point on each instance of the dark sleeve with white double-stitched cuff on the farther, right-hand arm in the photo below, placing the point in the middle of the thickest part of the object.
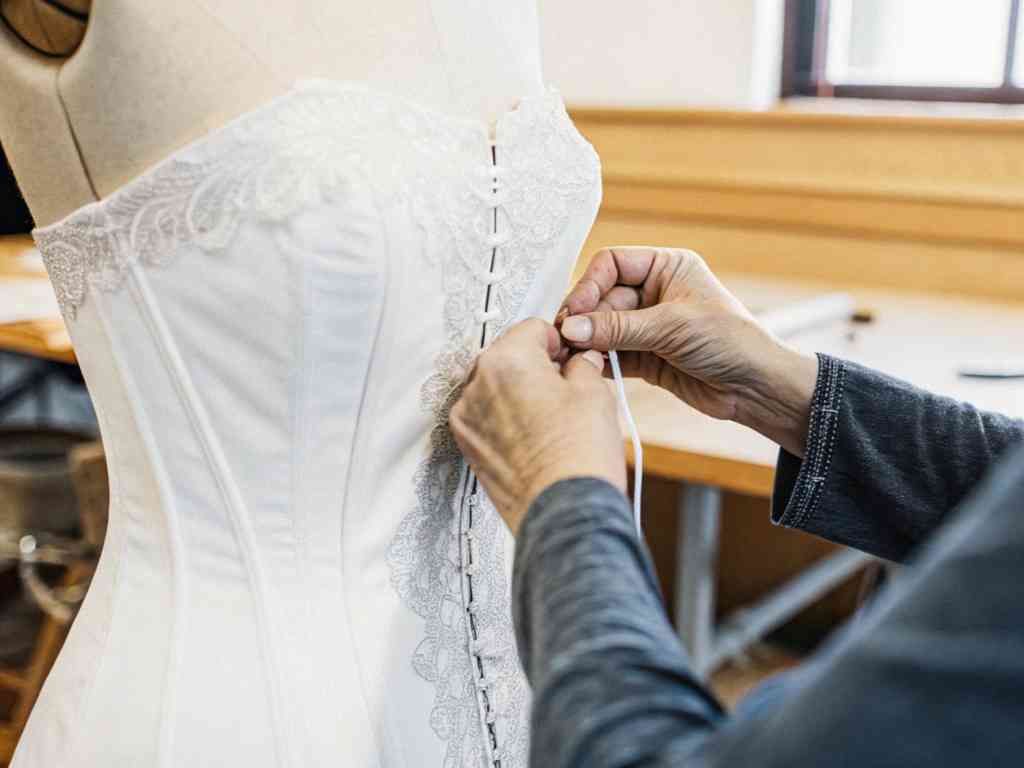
(885, 462)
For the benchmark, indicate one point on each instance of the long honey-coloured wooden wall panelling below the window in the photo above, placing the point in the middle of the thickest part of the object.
(909, 203)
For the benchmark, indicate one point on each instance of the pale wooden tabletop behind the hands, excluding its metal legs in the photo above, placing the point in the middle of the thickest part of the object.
(917, 337)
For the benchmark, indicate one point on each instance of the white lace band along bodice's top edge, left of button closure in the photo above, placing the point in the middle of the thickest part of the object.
(301, 149)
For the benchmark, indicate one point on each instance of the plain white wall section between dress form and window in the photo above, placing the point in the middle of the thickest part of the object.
(664, 53)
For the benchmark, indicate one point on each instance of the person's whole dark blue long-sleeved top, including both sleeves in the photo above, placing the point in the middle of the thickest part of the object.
(933, 676)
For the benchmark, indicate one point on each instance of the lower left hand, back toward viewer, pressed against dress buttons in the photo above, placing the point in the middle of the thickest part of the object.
(525, 421)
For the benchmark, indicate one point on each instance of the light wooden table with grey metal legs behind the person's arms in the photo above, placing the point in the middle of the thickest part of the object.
(920, 338)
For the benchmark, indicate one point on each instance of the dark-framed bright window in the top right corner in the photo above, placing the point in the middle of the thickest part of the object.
(951, 51)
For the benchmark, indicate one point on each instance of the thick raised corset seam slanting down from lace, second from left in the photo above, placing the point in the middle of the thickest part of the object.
(231, 496)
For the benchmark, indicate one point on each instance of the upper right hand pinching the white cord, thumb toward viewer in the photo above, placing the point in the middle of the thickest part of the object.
(688, 334)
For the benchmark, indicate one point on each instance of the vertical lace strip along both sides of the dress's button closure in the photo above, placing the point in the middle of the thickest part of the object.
(547, 175)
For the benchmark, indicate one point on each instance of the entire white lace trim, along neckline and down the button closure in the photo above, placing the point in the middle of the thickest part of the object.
(305, 149)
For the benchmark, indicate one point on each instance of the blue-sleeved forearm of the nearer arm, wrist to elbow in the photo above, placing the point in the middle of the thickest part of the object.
(612, 686)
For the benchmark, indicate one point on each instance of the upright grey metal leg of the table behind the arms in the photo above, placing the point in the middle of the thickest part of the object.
(698, 553)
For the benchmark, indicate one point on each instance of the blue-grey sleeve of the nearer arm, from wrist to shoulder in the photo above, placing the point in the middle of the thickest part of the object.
(930, 678)
